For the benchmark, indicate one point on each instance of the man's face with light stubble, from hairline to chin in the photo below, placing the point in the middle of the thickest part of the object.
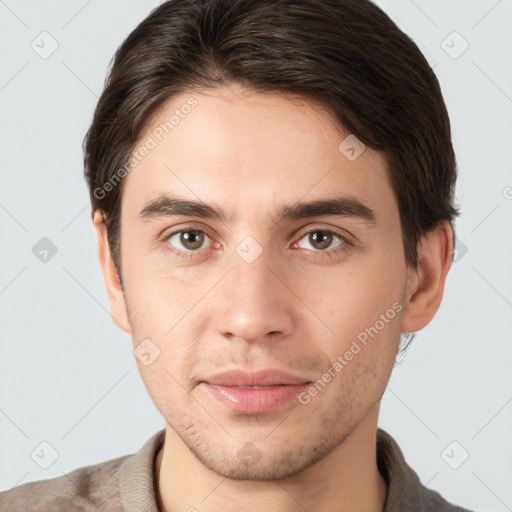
(257, 290)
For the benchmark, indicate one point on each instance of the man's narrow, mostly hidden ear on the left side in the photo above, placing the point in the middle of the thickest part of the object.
(118, 310)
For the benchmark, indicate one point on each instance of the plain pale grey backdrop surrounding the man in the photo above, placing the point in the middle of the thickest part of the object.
(68, 376)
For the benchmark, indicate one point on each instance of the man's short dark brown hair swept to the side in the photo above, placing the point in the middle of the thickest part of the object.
(347, 55)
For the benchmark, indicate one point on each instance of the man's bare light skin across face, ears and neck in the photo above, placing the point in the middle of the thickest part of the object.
(294, 308)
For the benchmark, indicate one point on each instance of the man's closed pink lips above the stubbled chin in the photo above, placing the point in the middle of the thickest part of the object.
(256, 392)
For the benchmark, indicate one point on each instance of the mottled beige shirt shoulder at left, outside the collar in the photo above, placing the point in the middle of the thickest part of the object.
(84, 489)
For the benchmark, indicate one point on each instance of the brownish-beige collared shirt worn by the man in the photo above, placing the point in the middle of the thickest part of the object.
(128, 484)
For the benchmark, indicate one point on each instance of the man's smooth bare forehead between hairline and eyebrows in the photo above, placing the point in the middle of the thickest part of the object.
(246, 149)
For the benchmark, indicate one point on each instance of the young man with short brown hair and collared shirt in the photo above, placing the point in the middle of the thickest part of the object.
(272, 191)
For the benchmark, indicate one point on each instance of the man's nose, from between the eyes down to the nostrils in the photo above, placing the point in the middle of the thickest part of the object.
(253, 301)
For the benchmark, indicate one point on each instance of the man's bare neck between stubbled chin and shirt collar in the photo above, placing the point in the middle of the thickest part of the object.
(346, 480)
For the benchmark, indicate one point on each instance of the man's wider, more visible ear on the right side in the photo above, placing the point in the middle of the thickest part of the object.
(425, 284)
